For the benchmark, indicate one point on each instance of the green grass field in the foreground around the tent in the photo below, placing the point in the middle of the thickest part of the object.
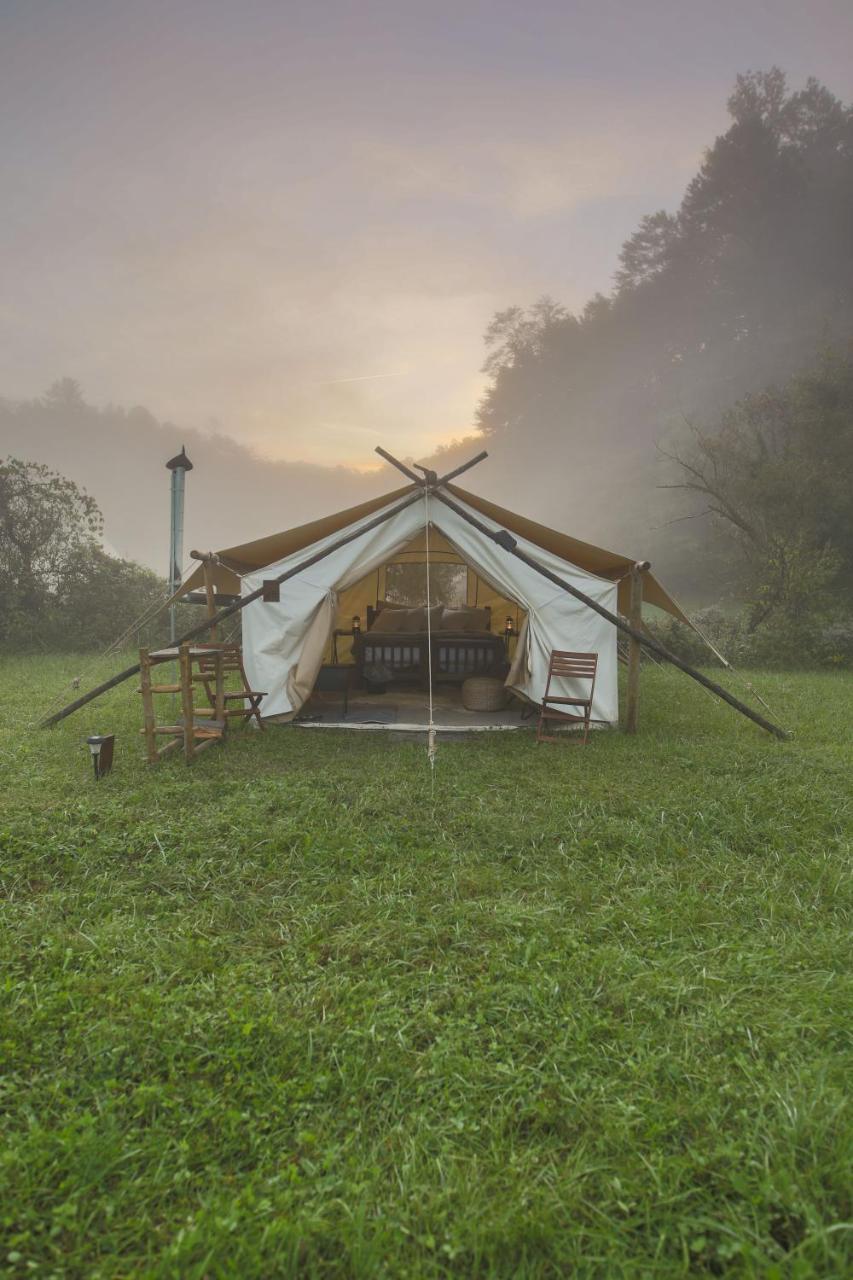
(293, 1012)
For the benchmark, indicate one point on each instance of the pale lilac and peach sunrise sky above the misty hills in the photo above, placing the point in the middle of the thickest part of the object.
(293, 222)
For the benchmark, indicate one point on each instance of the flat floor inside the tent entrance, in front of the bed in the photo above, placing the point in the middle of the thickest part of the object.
(407, 710)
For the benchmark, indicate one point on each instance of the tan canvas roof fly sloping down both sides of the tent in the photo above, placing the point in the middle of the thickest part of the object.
(235, 561)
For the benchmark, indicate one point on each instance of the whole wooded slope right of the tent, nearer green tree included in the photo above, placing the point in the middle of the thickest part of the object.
(690, 363)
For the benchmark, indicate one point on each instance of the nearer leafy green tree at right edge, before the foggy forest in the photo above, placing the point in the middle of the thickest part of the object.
(777, 477)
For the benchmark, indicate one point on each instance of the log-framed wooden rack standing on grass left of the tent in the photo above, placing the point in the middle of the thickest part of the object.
(198, 726)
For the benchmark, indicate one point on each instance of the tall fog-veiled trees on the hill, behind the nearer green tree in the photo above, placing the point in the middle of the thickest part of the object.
(742, 289)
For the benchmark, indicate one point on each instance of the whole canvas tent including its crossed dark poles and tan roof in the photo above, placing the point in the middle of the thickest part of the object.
(291, 647)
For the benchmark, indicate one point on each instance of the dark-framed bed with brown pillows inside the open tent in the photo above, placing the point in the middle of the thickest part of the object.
(395, 650)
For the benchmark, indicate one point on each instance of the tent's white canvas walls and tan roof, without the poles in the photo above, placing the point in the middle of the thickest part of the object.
(286, 643)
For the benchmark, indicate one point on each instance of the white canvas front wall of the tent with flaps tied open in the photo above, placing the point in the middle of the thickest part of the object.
(285, 643)
